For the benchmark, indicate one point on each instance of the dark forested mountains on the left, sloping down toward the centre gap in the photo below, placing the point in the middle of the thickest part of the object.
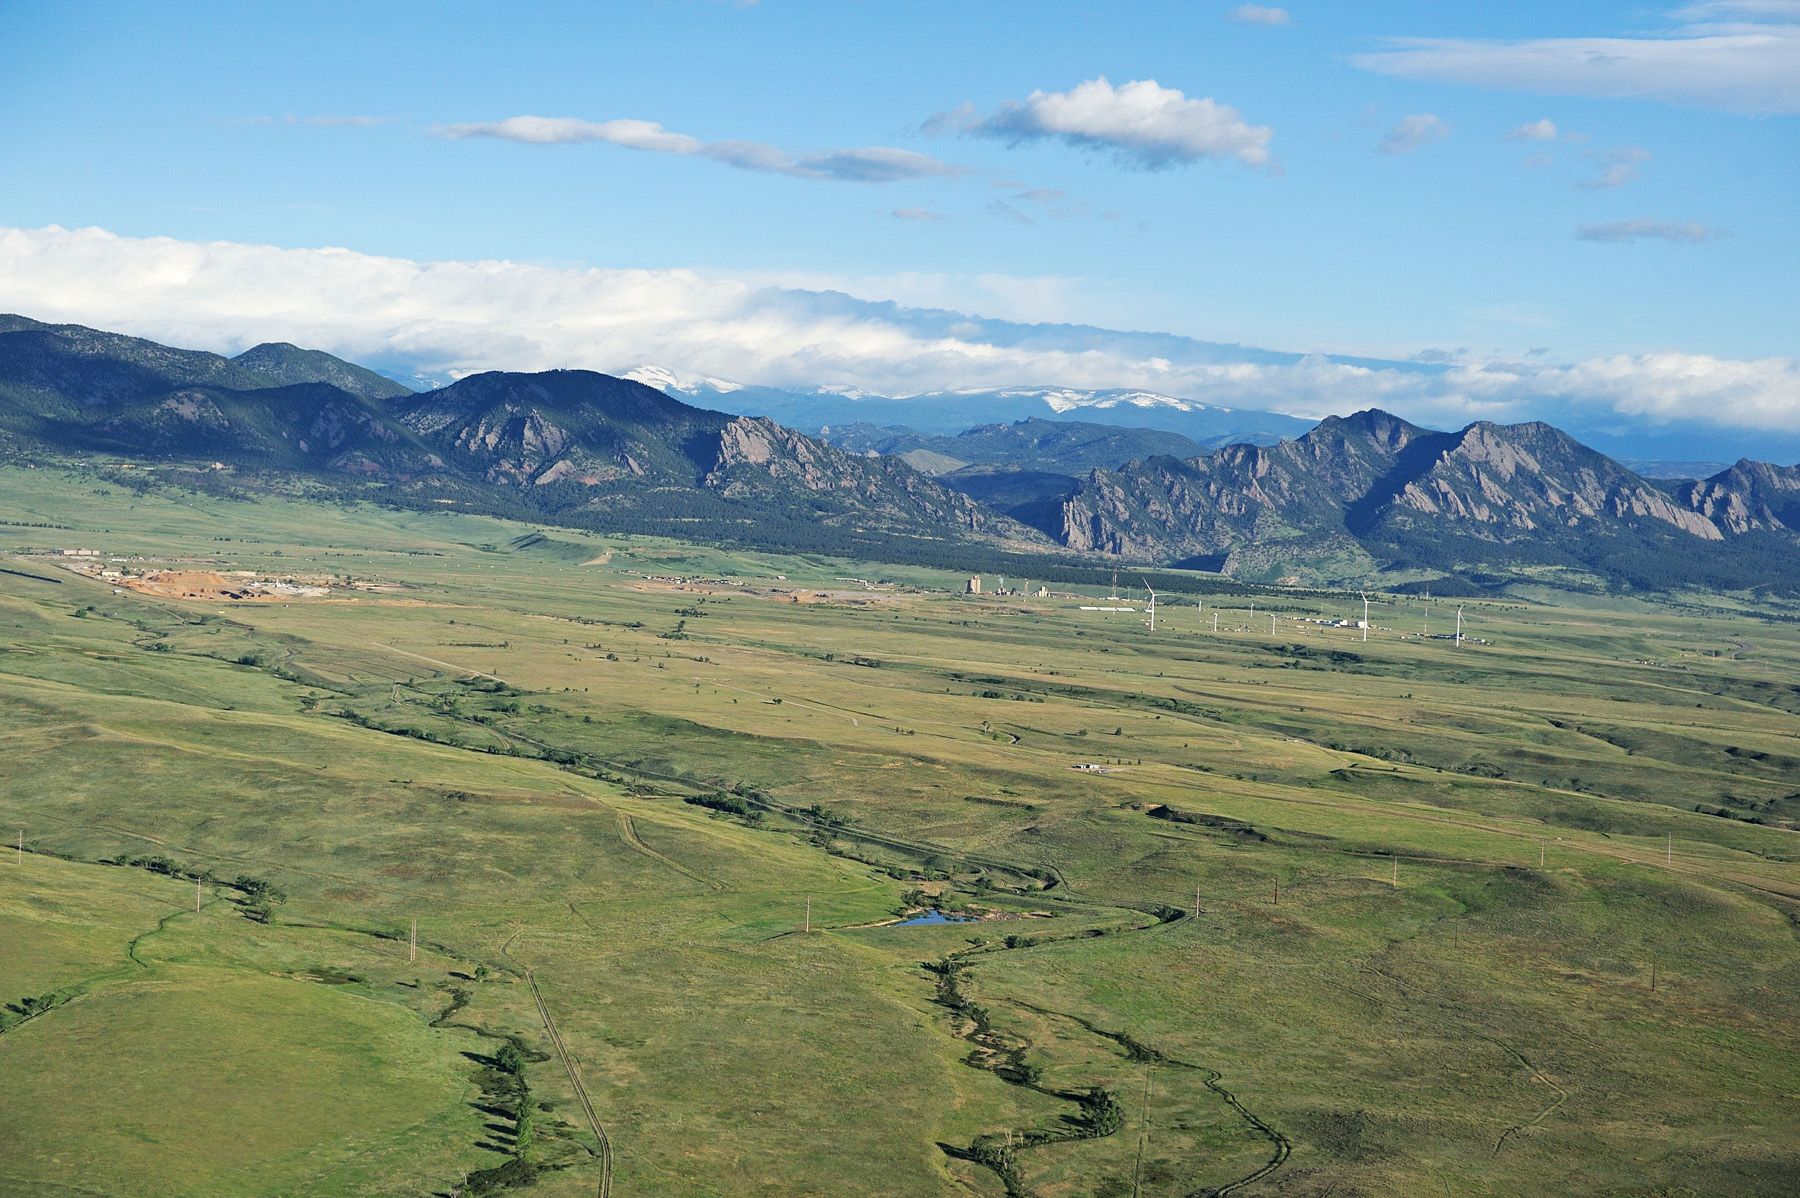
(564, 445)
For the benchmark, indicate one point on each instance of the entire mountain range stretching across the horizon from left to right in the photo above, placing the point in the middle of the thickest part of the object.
(1362, 497)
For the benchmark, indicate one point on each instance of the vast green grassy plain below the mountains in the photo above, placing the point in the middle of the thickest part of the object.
(1435, 884)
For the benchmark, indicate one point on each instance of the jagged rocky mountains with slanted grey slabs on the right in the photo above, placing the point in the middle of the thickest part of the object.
(1372, 494)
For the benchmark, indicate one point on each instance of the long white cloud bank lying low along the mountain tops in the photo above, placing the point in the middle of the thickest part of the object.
(462, 317)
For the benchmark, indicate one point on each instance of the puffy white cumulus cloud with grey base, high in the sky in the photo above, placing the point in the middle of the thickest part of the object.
(1142, 123)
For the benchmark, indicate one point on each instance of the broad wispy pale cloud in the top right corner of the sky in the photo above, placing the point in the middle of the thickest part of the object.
(1736, 57)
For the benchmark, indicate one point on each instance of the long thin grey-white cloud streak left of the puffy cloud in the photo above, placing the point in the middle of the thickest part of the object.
(868, 165)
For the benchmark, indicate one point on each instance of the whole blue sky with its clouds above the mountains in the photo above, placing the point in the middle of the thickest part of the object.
(1340, 181)
